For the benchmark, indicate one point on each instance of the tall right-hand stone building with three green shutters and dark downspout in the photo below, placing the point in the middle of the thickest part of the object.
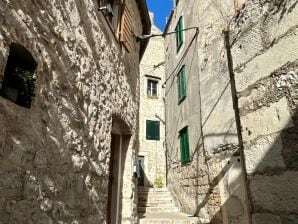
(231, 110)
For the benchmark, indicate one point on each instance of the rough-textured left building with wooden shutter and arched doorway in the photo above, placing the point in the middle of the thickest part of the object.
(69, 86)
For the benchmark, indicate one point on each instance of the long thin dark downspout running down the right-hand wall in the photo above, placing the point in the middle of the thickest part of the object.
(226, 33)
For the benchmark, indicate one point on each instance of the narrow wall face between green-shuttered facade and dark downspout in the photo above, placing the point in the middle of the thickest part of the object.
(226, 198)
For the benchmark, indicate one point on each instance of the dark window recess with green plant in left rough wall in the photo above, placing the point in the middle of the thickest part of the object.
(19, 81)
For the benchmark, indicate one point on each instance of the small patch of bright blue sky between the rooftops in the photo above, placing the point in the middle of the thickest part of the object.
(161, 9)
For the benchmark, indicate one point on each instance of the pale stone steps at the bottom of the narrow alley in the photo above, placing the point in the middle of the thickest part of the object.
(156, 206)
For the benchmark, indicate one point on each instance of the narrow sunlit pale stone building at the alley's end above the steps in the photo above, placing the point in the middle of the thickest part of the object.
(151, 116)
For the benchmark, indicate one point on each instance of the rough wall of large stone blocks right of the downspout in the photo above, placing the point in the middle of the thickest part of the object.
(264, 50)
